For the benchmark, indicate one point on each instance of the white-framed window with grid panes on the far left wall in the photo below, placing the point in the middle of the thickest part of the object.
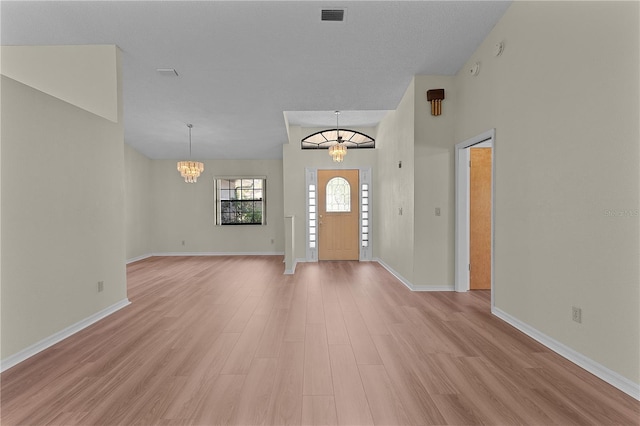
(240, 201)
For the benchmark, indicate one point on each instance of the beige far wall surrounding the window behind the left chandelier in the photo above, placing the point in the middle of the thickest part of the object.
(184, 212)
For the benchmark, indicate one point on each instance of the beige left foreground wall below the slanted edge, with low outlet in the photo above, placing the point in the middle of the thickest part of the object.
(62, 211)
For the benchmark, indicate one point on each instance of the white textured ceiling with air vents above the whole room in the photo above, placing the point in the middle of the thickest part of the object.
(243, 64)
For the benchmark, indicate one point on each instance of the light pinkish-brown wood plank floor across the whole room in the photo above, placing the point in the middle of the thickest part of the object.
(231, 340)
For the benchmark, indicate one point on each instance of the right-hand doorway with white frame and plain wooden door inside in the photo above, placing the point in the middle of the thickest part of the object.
(475, 205)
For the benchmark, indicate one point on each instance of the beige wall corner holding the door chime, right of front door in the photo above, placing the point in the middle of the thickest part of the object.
(417, 244)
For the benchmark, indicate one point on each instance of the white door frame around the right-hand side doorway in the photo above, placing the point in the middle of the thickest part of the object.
(462, 231)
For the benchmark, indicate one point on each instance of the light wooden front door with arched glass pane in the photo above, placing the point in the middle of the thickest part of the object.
(338, 213)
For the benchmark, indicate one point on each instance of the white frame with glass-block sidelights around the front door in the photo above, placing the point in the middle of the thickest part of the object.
(364, 177)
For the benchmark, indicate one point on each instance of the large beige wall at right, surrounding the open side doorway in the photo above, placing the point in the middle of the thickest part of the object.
(563, 98)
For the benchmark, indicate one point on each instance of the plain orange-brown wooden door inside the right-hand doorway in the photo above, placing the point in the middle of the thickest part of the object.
(480, 219)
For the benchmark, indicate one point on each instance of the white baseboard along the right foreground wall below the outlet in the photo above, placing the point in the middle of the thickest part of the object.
(625, 385)
